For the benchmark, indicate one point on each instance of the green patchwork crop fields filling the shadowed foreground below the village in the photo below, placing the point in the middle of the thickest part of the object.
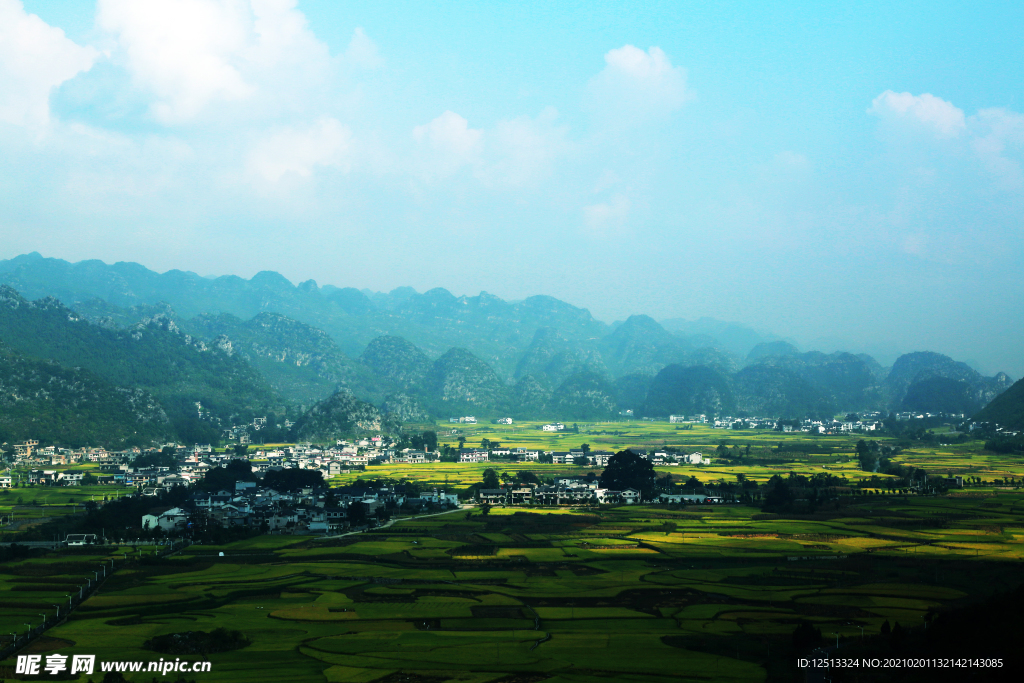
(560, 595)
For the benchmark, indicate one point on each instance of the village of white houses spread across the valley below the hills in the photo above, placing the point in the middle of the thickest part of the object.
(313, 509)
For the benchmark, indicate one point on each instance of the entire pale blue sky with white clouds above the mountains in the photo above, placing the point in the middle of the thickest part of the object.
(846, 175)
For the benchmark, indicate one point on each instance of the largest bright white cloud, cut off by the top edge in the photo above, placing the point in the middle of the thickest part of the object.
(193, 54)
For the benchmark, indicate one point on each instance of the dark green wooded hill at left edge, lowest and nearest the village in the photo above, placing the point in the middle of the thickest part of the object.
(73, 408)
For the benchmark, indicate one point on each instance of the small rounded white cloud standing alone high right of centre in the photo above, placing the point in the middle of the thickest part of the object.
(636, 86)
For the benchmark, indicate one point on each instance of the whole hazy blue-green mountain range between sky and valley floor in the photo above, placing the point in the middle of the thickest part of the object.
(240, 349)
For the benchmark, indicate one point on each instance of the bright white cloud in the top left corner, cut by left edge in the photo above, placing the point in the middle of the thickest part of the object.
(35, 58)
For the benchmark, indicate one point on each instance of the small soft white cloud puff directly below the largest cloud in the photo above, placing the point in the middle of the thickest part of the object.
(326, 144)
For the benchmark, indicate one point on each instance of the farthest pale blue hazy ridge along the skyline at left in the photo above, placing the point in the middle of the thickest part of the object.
(492, 329)
